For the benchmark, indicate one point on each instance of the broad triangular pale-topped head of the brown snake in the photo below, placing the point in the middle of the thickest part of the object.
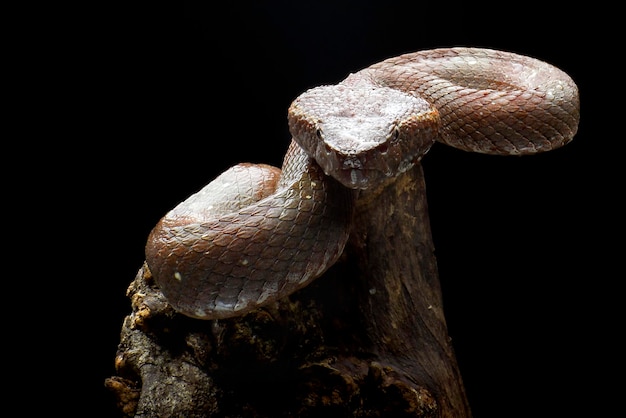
(361, 133)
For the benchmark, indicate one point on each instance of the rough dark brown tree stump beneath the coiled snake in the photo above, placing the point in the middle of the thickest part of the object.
(367, 339)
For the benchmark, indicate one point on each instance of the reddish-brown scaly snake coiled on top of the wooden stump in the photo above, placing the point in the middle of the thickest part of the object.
(257, 233)
